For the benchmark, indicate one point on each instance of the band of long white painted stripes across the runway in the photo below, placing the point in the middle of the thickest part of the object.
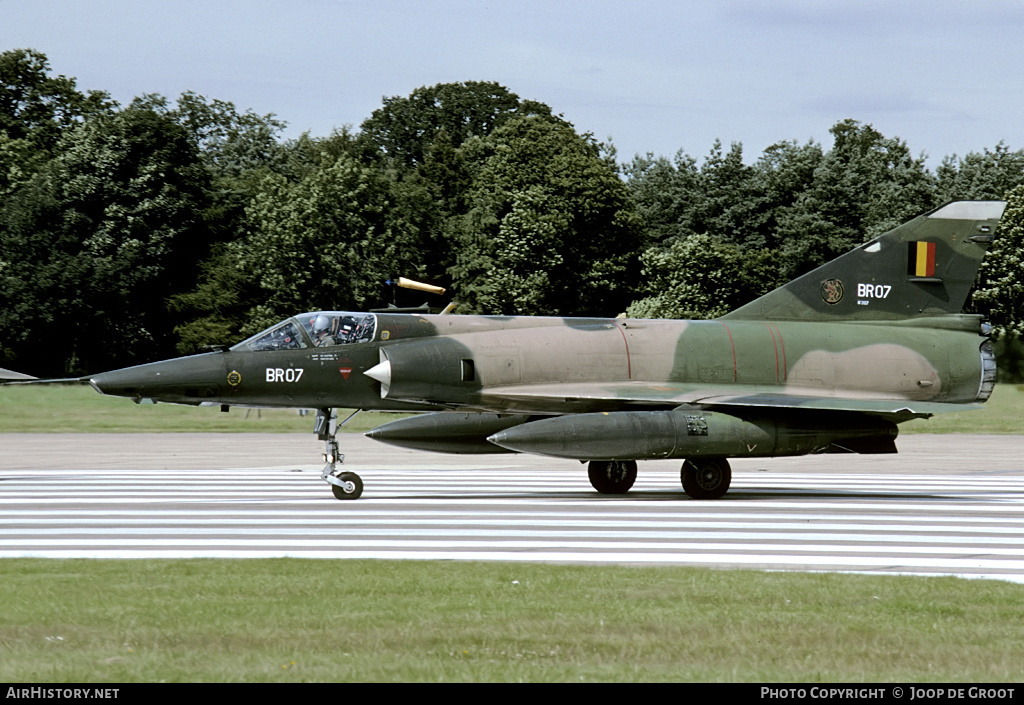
(953, 525)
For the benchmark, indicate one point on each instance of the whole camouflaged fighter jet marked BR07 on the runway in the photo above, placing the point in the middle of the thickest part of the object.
(831, 362)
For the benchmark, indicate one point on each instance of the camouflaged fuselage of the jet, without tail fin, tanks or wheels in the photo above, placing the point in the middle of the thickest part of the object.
(472, 362)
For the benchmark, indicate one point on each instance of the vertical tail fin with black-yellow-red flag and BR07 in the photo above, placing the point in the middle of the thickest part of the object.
(923, 268)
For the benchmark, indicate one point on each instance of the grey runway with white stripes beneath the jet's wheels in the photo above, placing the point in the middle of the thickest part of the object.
(946, 506)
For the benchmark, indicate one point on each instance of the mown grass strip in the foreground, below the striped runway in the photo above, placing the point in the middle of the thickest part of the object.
(300, 620)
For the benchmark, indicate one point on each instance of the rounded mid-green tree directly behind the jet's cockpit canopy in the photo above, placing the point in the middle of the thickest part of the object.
(328, 241)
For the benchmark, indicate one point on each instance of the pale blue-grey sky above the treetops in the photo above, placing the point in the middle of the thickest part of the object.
(947, 76)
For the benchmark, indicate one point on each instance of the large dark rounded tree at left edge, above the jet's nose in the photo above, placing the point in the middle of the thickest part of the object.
(96, 242)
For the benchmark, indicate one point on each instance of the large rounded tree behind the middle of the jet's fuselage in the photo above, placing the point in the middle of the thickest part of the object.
(551, 229)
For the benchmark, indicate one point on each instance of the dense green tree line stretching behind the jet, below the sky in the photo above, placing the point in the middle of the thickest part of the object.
(133, 233)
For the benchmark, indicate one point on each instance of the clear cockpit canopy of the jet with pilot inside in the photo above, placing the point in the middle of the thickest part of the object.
(317, 329)
